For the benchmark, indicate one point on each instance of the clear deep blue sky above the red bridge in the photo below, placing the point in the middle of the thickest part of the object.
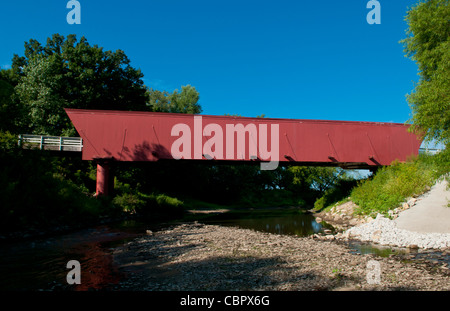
(285, 59)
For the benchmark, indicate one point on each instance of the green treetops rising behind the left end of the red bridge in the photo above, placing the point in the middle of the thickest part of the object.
(67, 73)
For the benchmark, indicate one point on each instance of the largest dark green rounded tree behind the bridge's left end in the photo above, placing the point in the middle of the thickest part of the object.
(66, 73)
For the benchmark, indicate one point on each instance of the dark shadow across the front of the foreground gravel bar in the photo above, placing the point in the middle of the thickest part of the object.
(220, 273)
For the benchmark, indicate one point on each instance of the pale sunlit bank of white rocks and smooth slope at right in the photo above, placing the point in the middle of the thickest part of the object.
(421, 222)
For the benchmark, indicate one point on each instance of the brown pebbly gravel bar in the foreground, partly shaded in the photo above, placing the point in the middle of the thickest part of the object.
(209, 257)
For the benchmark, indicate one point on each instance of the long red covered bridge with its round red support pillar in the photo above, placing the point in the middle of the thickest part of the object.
(151, 136)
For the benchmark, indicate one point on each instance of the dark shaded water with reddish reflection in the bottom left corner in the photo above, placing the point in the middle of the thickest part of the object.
(41, 264)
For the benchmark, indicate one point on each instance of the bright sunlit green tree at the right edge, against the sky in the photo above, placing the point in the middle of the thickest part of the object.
(428, 44)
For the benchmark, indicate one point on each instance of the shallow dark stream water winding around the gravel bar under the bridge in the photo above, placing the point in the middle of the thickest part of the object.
(40, 264)
